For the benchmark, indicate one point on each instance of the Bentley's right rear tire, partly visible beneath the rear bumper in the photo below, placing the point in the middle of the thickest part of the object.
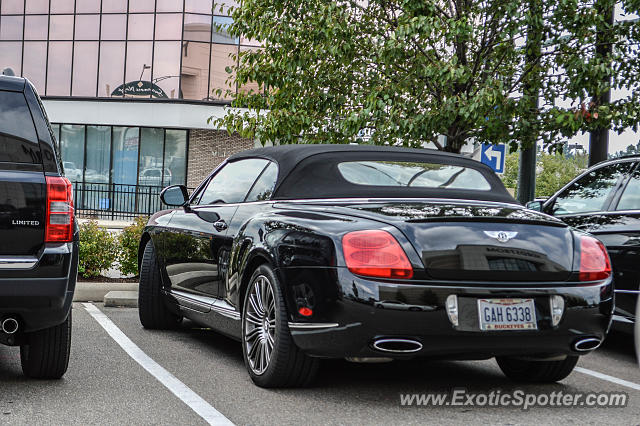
(536, 371)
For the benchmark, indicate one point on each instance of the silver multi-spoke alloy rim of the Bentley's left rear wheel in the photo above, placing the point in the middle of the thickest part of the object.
(260, 324)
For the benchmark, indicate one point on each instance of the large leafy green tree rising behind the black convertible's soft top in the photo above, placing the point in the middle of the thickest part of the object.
(411, 70)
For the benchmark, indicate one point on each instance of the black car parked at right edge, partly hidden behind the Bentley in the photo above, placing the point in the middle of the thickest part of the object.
(605, 201)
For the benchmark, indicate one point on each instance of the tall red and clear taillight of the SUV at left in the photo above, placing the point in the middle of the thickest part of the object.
(59, 224)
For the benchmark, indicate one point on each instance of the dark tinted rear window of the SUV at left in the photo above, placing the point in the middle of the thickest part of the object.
(18, 140)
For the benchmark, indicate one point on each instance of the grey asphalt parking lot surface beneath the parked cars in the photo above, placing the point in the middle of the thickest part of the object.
(105, 385)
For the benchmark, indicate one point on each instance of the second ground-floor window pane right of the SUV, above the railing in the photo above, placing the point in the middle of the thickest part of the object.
(98, 154)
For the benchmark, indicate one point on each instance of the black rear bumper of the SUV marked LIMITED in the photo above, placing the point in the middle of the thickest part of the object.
(41, 297)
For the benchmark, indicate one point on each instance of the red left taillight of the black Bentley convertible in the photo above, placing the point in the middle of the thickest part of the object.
(375, 253)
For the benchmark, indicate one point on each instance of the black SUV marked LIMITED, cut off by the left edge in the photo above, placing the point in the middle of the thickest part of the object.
(38, 235)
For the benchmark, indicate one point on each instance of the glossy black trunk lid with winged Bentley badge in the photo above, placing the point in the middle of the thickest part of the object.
(483, 242)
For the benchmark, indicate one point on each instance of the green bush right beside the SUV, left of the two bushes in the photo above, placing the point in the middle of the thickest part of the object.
(97, 251)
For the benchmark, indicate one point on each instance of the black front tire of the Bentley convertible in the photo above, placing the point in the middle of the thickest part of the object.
(152, 309)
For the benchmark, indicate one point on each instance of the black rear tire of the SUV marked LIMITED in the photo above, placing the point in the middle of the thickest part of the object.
(46, 353)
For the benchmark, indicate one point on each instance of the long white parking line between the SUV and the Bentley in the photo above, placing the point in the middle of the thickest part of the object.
(179, 389)
